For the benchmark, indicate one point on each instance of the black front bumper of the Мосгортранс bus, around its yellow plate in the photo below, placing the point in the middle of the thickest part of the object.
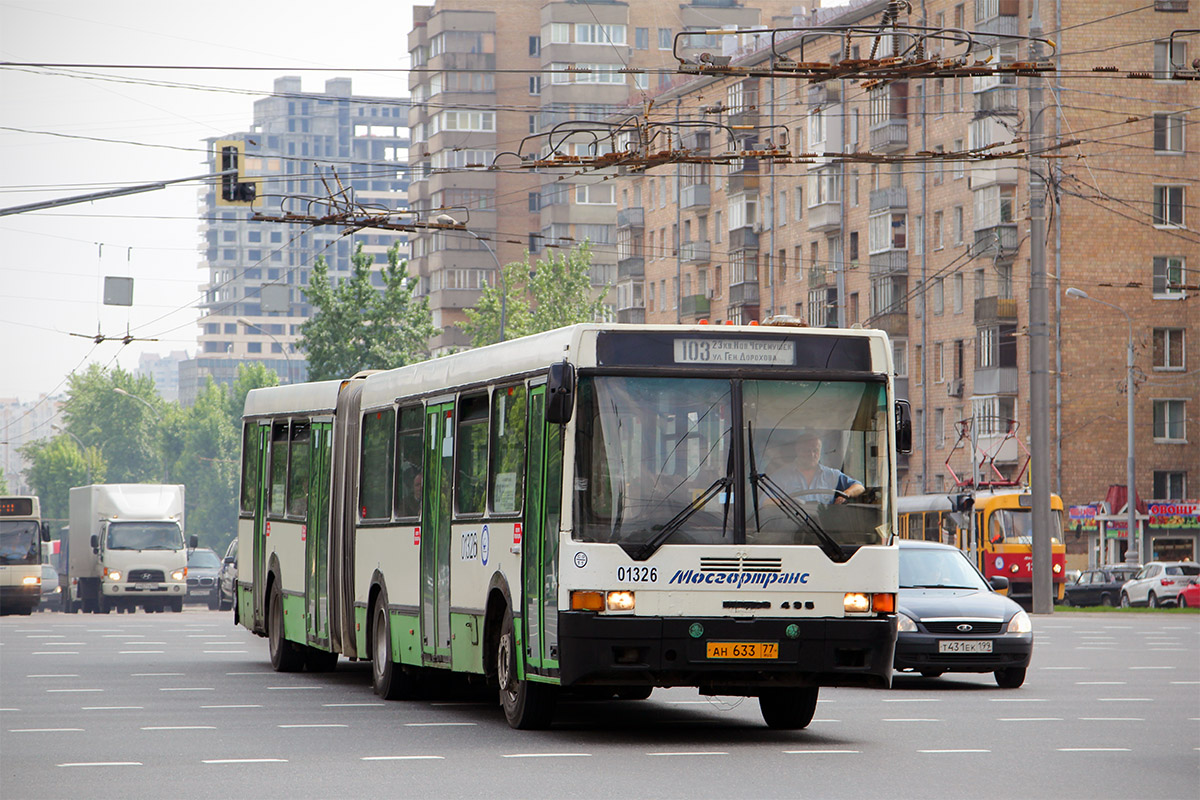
(658, 652)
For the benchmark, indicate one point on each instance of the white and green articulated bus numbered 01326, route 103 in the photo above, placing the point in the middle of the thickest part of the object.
(587, 509)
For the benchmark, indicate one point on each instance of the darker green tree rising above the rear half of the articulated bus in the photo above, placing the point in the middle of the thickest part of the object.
(357, 327)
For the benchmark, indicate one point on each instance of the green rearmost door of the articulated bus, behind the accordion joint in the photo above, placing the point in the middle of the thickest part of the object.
(317, 536)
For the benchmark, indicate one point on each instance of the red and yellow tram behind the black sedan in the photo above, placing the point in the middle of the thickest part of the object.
(1004, 533)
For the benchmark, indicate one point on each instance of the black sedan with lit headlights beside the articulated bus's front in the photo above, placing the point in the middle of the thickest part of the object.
(952, 621)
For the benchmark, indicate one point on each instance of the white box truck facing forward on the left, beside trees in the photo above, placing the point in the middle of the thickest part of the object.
(127, 549)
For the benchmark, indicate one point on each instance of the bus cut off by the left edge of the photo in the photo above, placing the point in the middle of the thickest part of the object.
(22, 533)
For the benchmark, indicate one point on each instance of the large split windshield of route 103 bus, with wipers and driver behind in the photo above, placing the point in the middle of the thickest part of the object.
(657, 456)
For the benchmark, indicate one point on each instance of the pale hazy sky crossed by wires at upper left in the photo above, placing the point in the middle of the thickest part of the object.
(52, 263)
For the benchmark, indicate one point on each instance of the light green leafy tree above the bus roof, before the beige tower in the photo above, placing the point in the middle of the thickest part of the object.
(555, 292)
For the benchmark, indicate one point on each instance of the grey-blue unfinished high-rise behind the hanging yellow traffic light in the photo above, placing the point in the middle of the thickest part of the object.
(302, 148)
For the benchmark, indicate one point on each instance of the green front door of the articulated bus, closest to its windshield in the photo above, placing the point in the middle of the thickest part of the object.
(539, 545)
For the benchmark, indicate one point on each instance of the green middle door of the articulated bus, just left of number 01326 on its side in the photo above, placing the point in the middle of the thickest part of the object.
(436, 532)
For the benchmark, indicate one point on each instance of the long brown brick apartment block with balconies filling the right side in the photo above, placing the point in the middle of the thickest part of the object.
(937, 250)
